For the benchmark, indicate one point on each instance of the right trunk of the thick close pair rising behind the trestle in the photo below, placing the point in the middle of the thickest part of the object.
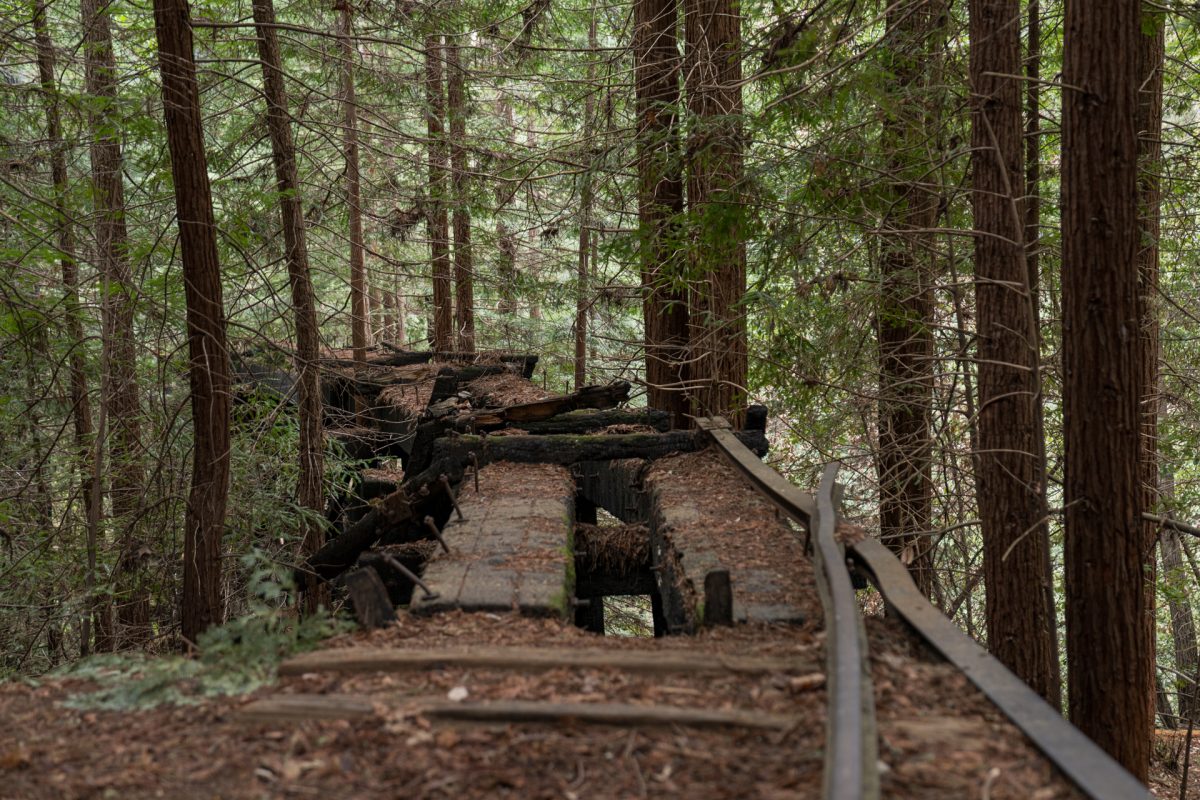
(713, 62)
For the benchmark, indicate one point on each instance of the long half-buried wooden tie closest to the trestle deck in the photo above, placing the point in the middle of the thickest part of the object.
(524, 659)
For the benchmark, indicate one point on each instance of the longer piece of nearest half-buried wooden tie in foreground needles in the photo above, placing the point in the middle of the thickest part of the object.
(615, 714)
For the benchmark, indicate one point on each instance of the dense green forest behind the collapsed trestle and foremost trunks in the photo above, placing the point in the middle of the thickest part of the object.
(518, 125)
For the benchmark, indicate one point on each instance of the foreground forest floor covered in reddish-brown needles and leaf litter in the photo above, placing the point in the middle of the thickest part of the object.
(939, 738)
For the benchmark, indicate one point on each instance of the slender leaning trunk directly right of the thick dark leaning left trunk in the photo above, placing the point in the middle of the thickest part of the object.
(313, 442)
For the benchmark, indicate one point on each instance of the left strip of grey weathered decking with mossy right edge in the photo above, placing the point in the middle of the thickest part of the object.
(512, 549)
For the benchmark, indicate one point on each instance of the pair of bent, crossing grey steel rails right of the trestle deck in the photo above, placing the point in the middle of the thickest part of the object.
(851, 769)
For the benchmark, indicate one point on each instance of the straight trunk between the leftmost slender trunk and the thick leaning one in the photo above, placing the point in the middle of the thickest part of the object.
(121, 386)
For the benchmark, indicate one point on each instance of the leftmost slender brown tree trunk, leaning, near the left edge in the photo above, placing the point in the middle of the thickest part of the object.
(81, 402)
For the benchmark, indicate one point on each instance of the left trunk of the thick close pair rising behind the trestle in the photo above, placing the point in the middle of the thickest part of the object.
(661, 206)
